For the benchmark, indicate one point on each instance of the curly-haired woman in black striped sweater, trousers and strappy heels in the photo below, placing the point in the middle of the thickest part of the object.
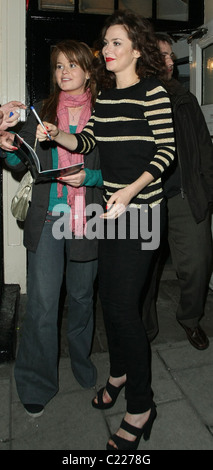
(132, 127)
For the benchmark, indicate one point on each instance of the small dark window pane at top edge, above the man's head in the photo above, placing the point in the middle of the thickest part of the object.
(172, 10)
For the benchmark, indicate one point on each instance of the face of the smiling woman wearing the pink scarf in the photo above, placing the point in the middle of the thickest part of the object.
(70, 77)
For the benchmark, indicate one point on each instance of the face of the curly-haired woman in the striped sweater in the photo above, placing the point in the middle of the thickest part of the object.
(117, 51)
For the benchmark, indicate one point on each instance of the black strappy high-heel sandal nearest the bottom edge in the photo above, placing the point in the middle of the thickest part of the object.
(145, 431)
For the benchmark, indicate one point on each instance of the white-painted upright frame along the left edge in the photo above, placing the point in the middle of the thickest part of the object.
(12, 87)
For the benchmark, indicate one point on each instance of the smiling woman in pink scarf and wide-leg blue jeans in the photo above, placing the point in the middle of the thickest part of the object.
(36, 369)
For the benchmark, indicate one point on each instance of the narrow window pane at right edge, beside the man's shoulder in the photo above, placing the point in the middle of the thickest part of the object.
(207, 97)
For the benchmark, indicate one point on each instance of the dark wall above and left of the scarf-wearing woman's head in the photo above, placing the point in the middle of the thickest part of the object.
(45, 31)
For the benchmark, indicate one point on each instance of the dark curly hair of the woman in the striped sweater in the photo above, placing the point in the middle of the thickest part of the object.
(142, 36)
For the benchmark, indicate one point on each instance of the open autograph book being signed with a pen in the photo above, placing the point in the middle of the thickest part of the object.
(29, 156)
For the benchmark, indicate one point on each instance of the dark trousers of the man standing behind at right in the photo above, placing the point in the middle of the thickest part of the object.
(191, 251)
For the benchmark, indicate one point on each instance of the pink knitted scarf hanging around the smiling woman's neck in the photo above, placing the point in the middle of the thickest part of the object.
(76, 196)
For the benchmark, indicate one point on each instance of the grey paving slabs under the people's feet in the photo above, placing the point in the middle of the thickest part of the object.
(182, 382)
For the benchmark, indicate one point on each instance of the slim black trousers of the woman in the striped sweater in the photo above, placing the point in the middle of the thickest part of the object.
(124, 267)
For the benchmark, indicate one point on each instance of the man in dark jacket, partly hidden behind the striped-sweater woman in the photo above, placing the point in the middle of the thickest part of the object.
(189, 190)
